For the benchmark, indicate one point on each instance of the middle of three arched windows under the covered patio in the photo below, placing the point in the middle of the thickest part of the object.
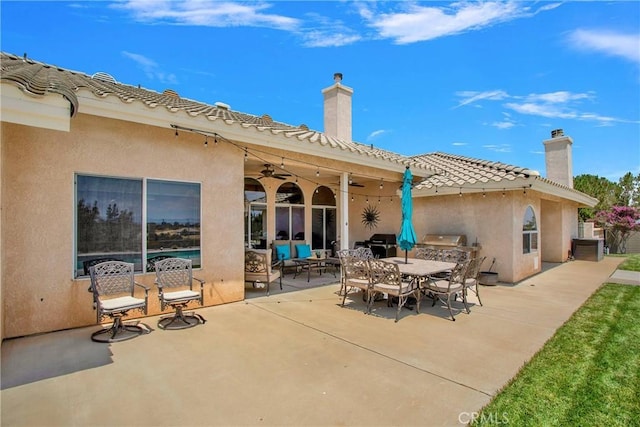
(289, 212)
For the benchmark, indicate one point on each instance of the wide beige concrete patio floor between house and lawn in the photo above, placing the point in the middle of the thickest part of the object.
(296, 358)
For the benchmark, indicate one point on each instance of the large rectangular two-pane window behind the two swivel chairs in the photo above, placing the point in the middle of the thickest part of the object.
(111, 215)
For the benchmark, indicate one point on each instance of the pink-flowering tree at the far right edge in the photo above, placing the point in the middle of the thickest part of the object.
(619, 222)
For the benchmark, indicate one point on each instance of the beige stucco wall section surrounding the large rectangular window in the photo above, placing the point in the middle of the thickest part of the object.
(39, 292)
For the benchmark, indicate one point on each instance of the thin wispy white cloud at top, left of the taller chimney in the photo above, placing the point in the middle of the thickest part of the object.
(208, 13)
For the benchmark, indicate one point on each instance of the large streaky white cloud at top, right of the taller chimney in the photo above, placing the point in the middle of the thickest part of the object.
(415, 23)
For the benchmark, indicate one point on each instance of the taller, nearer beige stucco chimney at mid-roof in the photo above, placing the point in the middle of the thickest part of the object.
(337, 109)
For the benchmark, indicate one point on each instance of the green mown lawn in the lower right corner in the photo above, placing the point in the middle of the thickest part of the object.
(587, 374)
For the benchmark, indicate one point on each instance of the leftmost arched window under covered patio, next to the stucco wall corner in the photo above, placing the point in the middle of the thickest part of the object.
(255, 214)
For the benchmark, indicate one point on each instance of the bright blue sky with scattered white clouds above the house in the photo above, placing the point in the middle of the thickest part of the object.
(488, 80)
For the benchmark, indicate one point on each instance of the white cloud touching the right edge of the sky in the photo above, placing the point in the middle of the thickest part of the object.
(611, 43)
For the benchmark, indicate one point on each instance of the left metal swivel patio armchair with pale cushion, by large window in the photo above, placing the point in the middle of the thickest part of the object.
(113, 287)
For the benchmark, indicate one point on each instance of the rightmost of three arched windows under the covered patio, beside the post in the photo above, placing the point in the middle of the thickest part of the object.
(323, 227)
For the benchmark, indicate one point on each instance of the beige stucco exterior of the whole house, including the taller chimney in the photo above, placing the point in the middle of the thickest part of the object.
(44, 143)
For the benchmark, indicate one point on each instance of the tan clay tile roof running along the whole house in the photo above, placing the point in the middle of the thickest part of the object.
(443, 170)
